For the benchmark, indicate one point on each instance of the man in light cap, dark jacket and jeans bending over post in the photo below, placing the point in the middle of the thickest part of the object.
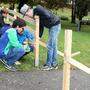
(50, 21)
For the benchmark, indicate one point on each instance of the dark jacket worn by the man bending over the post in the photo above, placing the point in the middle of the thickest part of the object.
(47, 18)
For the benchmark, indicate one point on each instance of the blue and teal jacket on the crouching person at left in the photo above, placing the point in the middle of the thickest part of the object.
(9, 40)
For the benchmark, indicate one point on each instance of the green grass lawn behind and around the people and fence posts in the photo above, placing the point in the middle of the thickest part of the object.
(80, 42)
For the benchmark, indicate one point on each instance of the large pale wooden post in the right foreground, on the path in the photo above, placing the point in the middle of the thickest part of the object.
(67, 56)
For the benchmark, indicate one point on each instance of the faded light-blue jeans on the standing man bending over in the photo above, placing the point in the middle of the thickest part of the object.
(52, 45)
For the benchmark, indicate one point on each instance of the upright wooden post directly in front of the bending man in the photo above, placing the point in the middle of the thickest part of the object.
(37, 41)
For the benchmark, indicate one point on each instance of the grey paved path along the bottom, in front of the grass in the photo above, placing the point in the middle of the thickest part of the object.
(42, 80)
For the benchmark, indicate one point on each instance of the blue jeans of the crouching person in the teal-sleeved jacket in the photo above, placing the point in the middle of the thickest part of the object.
(14, 55)
